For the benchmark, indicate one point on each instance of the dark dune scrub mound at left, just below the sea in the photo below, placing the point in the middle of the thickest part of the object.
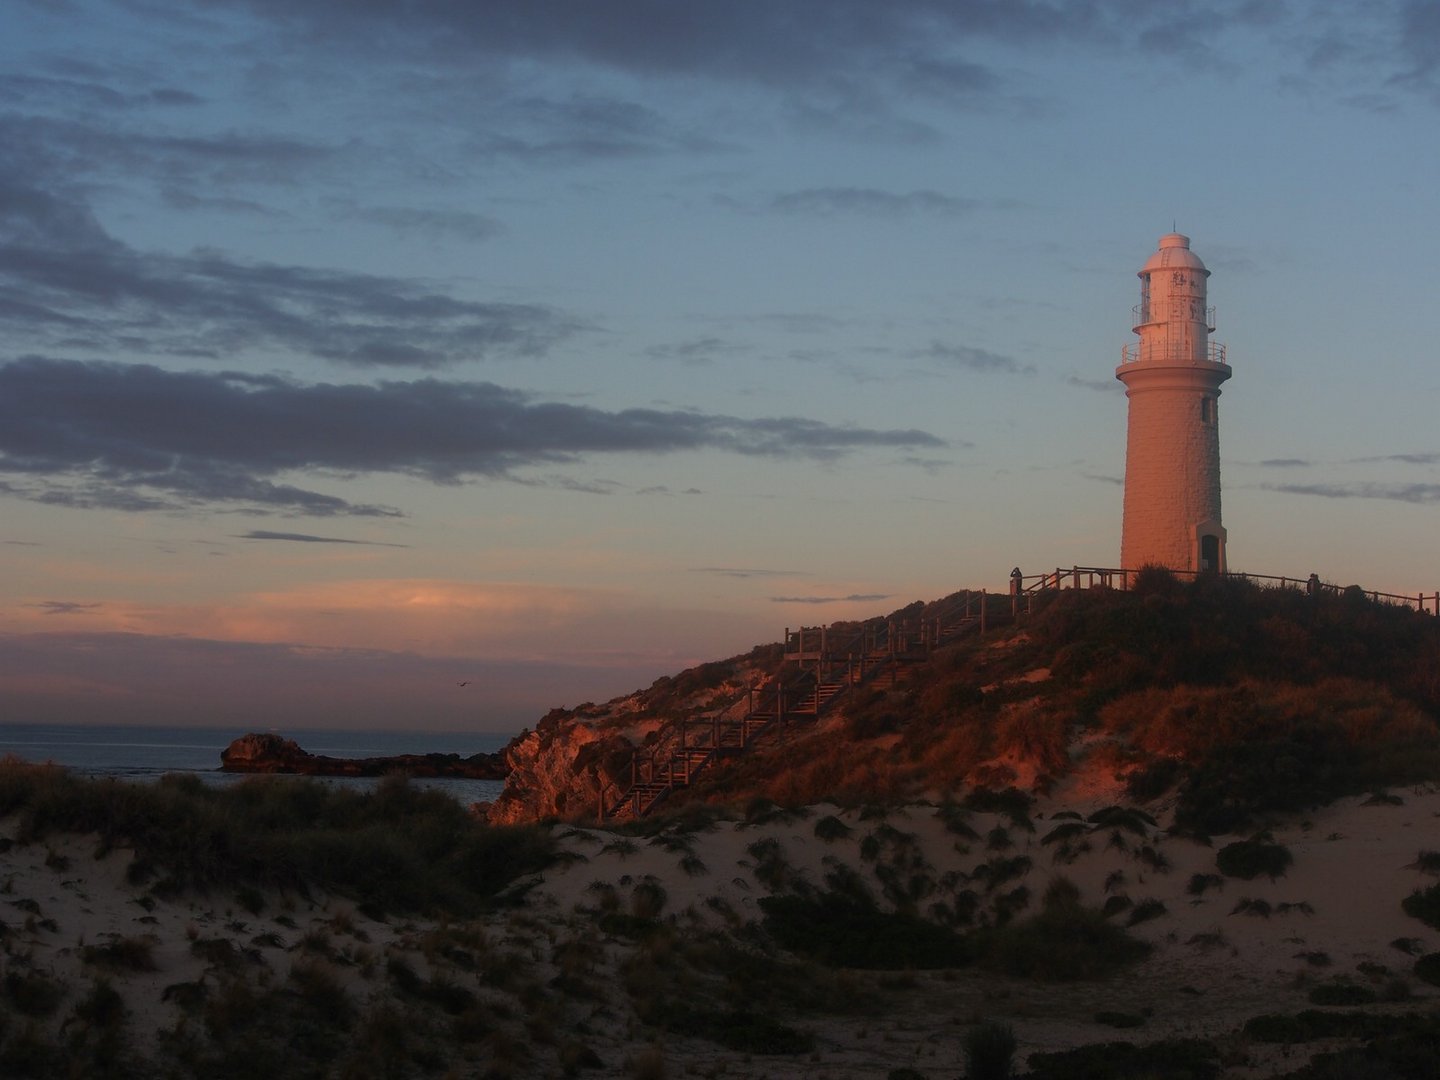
(394, 849)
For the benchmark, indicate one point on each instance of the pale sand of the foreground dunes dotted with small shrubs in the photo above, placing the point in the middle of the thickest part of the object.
(571, 993)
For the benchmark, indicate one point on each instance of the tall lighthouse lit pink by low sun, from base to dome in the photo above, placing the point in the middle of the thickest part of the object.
(1173, 378)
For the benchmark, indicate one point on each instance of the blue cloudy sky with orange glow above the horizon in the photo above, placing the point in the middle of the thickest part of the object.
(354, 351)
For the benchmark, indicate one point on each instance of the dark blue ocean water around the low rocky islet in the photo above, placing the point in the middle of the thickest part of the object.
(146, 754)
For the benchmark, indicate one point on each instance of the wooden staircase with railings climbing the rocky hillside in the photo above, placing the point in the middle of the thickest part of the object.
(823, 665)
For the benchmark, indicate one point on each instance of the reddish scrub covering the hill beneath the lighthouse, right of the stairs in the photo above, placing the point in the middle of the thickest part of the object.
(1246, 701)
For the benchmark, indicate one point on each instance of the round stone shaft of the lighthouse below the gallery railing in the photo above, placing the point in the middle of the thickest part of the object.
(1173, 467)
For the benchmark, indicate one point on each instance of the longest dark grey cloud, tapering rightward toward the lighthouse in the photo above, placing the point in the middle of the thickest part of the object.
(135, 437)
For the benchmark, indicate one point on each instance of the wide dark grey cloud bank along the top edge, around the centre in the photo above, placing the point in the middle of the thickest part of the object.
(803, 44)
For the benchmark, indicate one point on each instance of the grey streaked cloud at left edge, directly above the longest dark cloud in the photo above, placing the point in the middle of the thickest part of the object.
(205, 305)
